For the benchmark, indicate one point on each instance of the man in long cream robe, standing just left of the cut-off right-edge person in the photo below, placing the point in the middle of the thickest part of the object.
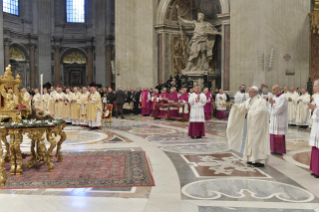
(302, 117)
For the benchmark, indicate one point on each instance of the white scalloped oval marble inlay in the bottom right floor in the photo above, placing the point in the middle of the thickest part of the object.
(235, 188)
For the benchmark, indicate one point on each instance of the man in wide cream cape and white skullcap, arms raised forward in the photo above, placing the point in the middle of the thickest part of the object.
(248, 129)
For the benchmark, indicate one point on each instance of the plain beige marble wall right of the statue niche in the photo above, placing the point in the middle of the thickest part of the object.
(259, 27)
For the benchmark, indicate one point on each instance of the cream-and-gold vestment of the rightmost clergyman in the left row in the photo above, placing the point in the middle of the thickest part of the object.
(95, 104)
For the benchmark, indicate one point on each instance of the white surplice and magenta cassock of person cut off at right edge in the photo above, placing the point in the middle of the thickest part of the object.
(314, 139)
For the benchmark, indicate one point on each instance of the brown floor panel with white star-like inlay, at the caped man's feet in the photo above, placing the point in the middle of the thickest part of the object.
(222, 165)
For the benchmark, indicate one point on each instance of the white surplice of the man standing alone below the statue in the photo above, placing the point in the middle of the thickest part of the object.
(197, 107)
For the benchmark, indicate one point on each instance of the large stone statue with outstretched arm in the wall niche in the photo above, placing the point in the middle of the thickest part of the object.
(201, 45)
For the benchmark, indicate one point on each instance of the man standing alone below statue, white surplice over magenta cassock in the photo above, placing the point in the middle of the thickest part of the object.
(197, 102)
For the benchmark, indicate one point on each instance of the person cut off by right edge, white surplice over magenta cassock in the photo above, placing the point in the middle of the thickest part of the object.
(314, 135)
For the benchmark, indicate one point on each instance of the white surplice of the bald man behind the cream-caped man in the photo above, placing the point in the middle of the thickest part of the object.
(279, 116)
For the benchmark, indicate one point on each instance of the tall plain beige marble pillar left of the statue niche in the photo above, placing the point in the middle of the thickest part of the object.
(135, 43)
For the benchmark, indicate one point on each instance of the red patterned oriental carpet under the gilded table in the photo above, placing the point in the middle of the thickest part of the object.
(87, 169)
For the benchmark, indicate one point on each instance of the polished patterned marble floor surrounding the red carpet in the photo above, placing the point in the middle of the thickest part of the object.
(201, 175)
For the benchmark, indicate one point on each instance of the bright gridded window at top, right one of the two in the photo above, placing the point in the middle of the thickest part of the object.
(75, 11)
